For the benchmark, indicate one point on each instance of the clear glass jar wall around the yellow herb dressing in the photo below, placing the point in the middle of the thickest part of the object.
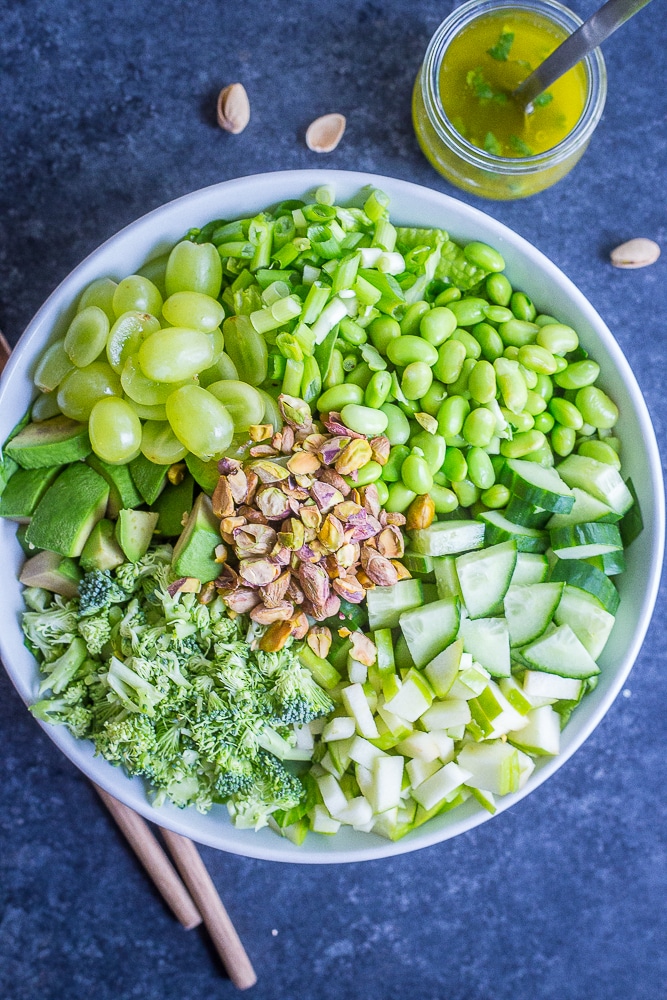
(483, 172)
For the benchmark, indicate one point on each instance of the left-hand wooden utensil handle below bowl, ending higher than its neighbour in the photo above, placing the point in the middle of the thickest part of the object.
(154, 859)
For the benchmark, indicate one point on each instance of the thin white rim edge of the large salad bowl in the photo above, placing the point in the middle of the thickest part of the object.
(279, 849)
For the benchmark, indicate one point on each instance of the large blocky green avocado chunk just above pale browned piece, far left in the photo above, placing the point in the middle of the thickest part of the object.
(68, 511)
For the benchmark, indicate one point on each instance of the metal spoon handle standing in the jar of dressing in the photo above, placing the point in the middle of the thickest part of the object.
(576, 46)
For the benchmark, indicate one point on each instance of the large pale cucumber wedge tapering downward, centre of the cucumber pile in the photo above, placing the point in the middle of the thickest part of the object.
(485, 576)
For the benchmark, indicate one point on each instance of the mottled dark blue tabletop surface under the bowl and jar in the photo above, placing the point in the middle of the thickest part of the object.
(108, 110)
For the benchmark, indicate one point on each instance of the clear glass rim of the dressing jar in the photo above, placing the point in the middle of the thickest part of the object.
(596, 90)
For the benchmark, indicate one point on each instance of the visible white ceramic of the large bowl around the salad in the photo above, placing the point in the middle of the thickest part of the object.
(529, 270)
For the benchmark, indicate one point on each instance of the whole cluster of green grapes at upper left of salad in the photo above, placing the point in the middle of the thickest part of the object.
(148, 371)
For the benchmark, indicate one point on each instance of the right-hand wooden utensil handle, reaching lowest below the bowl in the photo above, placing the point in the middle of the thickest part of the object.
(203, 891)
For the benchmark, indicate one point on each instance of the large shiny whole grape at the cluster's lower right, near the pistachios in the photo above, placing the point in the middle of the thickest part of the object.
(200, 421)
